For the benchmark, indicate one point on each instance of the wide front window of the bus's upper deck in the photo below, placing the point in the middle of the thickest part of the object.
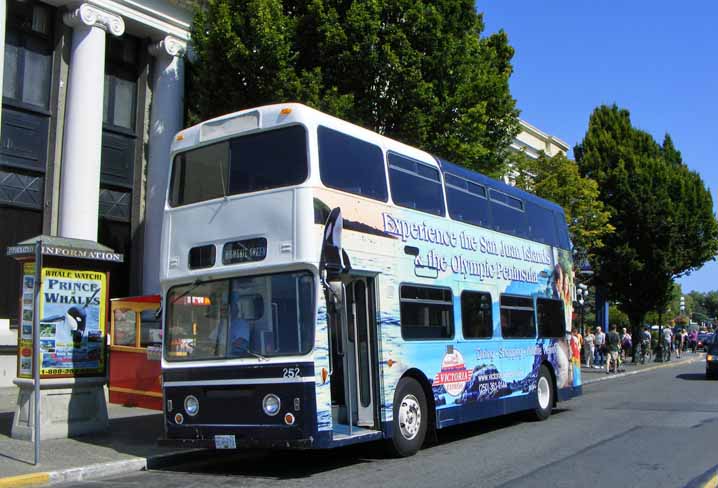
(245, 164)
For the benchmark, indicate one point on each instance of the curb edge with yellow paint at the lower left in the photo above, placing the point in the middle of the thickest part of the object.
(104, 470)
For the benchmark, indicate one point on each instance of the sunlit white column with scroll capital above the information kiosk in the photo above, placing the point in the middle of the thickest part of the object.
(82, 143)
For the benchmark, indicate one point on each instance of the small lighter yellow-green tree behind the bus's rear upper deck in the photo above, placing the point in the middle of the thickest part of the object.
(558, 179)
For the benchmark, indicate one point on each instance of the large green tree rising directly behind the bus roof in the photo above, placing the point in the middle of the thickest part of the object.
(416, 71)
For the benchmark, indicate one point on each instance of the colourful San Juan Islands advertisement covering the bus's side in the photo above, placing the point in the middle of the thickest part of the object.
(468, 371)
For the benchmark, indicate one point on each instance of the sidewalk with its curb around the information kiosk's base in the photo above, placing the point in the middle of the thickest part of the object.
(129, 445)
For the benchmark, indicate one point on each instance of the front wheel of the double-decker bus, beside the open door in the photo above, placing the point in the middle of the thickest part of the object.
(411, 418)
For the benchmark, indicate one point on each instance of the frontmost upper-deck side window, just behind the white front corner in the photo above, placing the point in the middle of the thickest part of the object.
(350, 164)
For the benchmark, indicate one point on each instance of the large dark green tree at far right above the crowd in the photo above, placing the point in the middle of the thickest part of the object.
(662, 213)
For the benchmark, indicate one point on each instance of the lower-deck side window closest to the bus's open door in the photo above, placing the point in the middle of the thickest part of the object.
(426, 313)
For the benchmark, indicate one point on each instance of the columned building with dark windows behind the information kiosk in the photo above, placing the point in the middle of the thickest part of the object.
(92, 96)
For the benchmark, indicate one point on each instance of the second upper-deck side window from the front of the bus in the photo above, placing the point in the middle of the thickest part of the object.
(415, 185)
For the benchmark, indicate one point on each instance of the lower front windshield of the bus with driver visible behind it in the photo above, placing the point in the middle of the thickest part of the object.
(271, 315)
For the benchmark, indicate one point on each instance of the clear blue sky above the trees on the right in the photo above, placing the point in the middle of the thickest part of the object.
(658, 59)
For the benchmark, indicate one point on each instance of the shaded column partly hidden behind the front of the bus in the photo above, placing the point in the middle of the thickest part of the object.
(165, 121)
